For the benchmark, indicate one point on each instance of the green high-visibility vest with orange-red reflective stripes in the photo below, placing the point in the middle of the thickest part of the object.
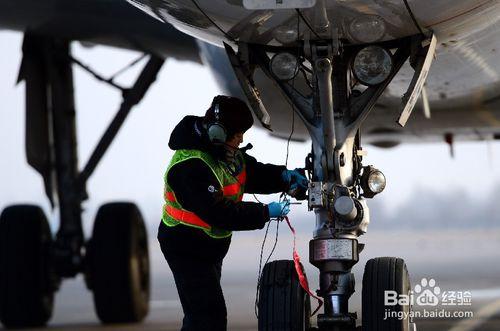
(232, 188)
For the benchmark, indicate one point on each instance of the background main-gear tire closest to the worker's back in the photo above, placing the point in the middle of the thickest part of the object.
(118, 264)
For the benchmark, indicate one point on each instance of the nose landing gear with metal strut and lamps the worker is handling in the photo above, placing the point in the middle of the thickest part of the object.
(332, 103)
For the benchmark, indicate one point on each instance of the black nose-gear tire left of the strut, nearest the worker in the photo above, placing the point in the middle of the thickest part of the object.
(283, 304)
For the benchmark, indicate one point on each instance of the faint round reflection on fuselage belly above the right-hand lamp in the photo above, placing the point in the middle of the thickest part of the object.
(367, 28)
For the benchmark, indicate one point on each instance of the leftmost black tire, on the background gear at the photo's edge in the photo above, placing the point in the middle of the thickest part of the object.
(26, 293)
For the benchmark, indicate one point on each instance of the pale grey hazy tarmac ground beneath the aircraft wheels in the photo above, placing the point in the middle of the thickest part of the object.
(458, 261)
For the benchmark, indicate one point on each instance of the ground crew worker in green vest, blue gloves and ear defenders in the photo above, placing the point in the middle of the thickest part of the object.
(204, 185)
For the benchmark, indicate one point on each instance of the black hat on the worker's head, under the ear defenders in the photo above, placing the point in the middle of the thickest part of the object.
(234, 114)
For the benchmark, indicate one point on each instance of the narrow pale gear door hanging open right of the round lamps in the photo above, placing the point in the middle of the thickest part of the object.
(423, 64)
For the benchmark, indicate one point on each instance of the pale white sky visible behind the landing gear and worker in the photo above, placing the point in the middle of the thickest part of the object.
(133, 167)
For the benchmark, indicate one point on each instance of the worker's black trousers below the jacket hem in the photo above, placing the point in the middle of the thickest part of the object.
(198, 284)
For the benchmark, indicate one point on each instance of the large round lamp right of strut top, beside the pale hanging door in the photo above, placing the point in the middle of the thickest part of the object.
(372, 65)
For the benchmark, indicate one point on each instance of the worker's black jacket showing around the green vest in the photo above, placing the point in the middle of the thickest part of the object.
(190, 180)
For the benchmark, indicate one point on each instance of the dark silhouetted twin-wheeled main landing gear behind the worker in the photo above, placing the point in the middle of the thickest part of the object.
(32, 264)
